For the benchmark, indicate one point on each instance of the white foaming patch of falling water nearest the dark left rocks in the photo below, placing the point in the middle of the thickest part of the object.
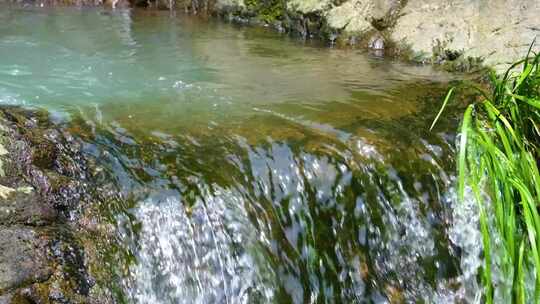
(203, 257)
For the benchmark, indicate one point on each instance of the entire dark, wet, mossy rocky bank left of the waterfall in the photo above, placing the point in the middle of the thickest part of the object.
(43, 196)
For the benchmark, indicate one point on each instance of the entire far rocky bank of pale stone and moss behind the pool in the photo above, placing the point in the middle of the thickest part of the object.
(461, 34)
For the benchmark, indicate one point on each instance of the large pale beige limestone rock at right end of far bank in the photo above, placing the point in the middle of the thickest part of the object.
(497, 31)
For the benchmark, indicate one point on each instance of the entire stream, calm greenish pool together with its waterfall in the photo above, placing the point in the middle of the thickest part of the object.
(249, 167)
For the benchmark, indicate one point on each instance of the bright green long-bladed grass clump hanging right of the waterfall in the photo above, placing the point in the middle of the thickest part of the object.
(498, 161)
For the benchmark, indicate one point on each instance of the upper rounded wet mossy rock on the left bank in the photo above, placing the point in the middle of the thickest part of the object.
(48, 159)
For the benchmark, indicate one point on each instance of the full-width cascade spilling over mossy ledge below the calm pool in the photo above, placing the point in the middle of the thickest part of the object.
(228, 221)
